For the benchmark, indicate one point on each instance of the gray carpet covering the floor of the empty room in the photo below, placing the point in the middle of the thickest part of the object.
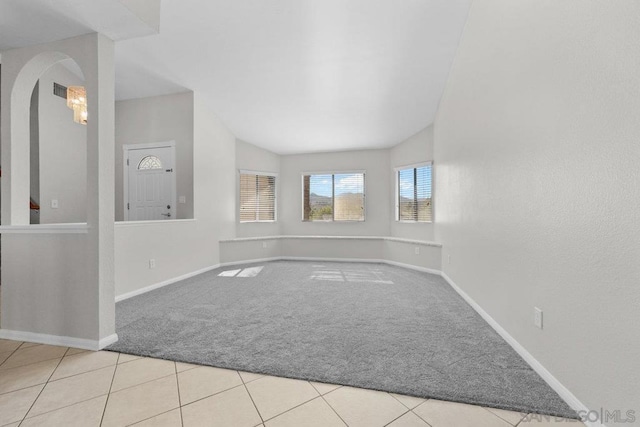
(366, 325)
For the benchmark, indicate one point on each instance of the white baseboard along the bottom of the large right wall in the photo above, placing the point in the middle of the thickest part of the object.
(547, 376)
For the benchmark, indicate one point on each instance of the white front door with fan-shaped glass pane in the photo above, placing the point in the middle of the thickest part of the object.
(151, 183)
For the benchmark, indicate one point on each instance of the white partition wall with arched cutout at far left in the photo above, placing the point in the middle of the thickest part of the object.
(60, 285)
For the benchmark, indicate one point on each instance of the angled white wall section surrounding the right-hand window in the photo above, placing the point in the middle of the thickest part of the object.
(417, 149)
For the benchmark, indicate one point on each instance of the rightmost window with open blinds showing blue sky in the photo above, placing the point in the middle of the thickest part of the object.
(413, 187)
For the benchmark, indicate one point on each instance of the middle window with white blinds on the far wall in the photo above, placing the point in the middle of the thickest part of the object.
(333, 197)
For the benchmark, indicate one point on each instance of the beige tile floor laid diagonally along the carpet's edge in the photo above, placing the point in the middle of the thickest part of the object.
(43, 385)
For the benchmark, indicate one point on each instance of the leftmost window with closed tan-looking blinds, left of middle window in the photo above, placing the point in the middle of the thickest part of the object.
(257, 197)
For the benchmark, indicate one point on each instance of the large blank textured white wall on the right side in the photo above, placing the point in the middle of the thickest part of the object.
(536, 154)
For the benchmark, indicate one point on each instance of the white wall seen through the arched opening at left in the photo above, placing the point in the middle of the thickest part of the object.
(62, 152)
